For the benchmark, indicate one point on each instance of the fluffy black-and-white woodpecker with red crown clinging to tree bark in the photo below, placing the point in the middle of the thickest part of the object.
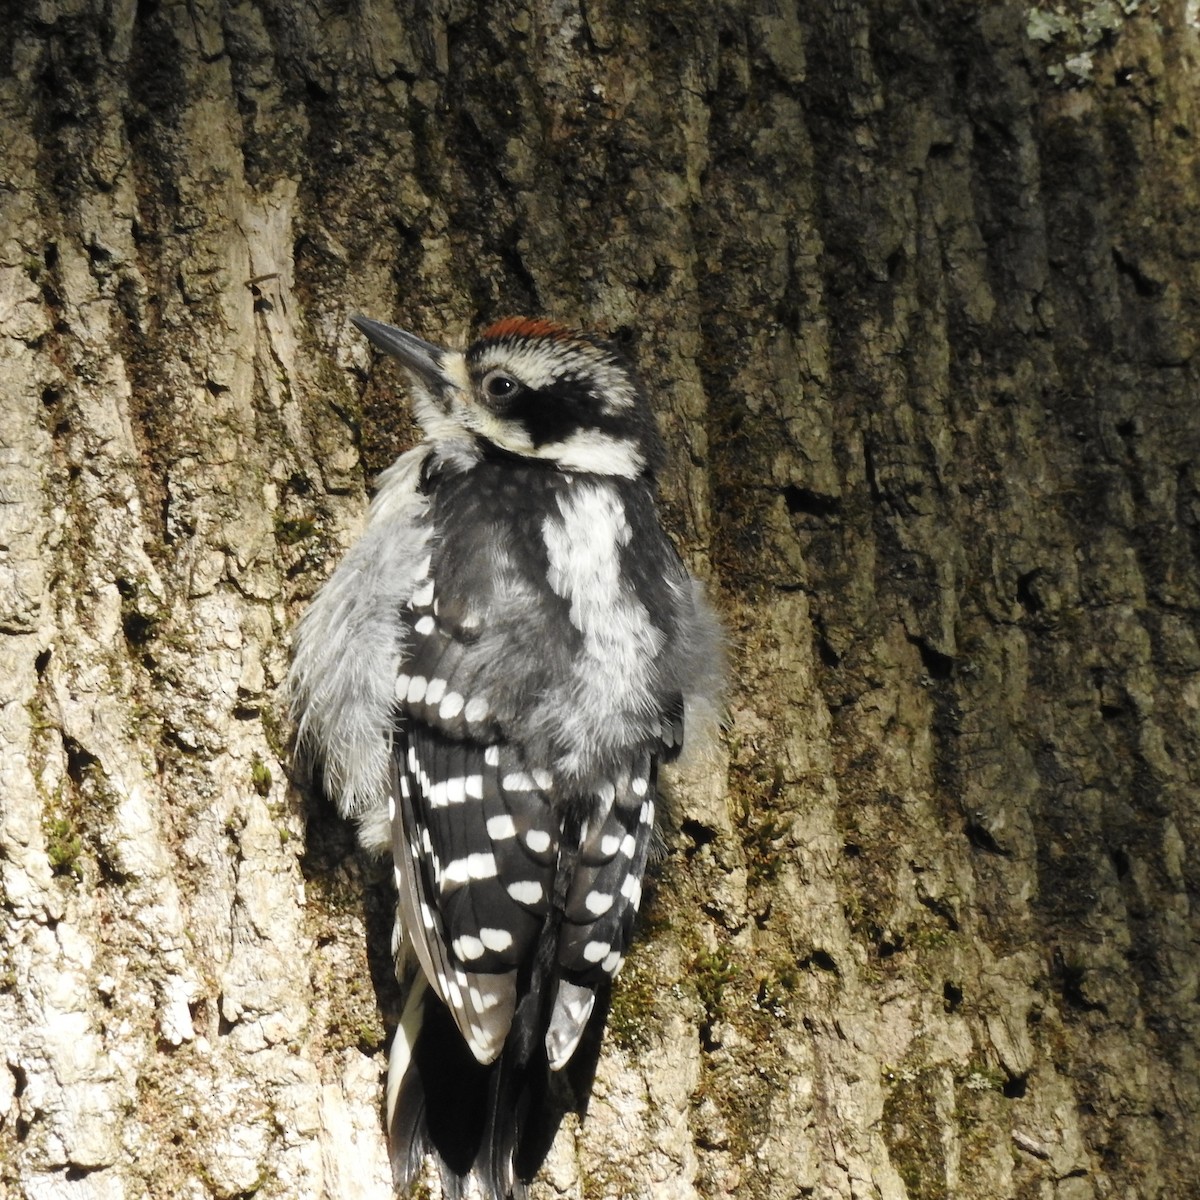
(490, 682)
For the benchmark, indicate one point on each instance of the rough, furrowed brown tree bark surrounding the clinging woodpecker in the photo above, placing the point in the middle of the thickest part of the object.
(916, 287)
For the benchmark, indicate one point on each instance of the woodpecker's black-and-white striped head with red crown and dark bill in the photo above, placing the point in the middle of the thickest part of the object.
(532, 389)
